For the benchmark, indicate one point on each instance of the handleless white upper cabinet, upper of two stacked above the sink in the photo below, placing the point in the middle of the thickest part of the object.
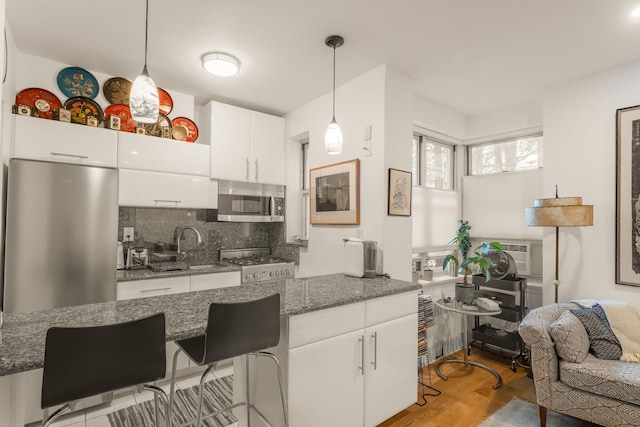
(144, 152)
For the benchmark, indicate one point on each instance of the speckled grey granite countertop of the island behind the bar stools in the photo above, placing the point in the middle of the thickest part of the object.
(23, 335)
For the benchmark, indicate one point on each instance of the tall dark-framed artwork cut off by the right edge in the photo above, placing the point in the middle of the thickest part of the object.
(628, 196)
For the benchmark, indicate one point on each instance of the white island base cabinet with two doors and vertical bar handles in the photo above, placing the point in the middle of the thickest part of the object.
(353, 376)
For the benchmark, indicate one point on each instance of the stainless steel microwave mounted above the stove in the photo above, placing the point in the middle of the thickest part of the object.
(250, 202)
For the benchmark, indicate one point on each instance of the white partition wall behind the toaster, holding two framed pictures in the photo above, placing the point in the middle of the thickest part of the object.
(360, 102)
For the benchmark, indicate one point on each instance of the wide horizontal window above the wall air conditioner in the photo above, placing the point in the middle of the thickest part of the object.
(510, 155)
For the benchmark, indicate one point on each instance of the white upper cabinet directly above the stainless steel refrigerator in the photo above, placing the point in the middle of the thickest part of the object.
(64, 142)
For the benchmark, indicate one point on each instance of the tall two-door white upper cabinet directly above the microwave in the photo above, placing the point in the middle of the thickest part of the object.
(245, 145)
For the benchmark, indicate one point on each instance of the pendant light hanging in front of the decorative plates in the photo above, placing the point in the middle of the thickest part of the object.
(143, 98)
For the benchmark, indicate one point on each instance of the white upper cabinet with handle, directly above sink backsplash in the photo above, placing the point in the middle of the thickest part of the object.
(170, 190)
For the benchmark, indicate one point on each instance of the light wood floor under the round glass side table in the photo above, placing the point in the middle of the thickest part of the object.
(467, 397)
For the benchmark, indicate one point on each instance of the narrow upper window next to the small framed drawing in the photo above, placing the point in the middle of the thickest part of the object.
(433, 163)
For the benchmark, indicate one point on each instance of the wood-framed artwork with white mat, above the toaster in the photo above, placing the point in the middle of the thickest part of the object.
(335, 193)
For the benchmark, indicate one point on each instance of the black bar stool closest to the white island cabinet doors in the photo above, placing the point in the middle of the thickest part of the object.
(233, 329)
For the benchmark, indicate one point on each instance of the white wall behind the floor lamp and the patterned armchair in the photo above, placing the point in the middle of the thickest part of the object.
(580, 156)
